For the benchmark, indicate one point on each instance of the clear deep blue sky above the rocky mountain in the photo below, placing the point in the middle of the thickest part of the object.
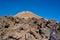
(49, 9)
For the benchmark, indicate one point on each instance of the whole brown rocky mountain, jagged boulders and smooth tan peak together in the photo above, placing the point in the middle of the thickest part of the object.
(28, 26)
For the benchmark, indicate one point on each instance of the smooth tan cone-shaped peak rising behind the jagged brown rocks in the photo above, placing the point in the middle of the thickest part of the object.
(26, 14)
